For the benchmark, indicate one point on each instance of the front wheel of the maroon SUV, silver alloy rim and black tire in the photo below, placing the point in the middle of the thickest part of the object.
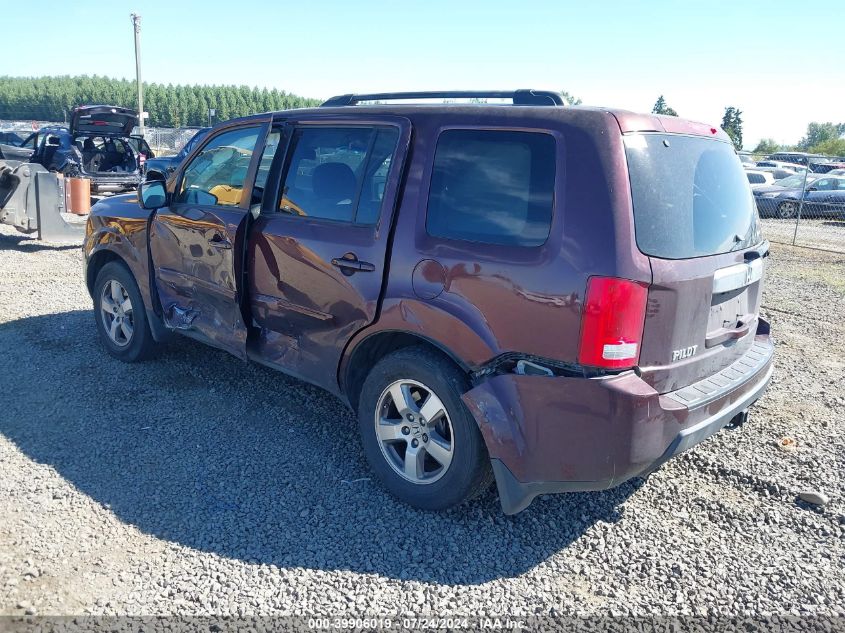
(120, 315)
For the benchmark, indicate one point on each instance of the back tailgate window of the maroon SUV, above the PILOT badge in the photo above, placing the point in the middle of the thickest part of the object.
(691, 197)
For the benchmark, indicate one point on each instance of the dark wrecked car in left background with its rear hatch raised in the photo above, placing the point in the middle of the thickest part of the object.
(97, 144)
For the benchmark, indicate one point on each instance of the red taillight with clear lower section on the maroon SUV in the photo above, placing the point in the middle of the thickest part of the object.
(612, 323)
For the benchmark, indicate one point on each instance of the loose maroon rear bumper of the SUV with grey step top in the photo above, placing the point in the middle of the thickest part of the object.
(559, 434)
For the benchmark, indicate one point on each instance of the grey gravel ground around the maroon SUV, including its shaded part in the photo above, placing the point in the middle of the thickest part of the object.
(135, 489)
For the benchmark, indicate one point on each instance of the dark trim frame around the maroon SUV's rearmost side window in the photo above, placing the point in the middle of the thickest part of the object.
(425, 193)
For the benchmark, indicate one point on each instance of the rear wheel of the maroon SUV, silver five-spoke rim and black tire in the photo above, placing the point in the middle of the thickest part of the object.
(419, 438)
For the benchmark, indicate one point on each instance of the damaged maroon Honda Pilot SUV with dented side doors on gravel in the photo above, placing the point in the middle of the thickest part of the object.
(560, 298)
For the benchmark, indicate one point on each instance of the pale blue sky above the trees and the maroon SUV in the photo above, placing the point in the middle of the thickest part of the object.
(780, 62)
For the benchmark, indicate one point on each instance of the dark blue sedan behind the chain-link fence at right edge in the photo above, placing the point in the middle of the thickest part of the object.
(824, 196)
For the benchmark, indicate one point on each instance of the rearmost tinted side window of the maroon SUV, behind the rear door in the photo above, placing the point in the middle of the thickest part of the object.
(493, 187)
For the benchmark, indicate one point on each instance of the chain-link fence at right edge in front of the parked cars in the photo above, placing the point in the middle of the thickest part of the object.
(800, 198)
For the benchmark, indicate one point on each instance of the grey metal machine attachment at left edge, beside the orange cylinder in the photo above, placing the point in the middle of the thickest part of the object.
(33, 200)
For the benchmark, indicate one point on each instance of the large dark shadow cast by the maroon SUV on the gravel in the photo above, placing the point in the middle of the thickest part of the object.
(203, 450)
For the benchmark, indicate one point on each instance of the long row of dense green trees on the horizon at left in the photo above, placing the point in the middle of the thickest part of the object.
(52, 99)
